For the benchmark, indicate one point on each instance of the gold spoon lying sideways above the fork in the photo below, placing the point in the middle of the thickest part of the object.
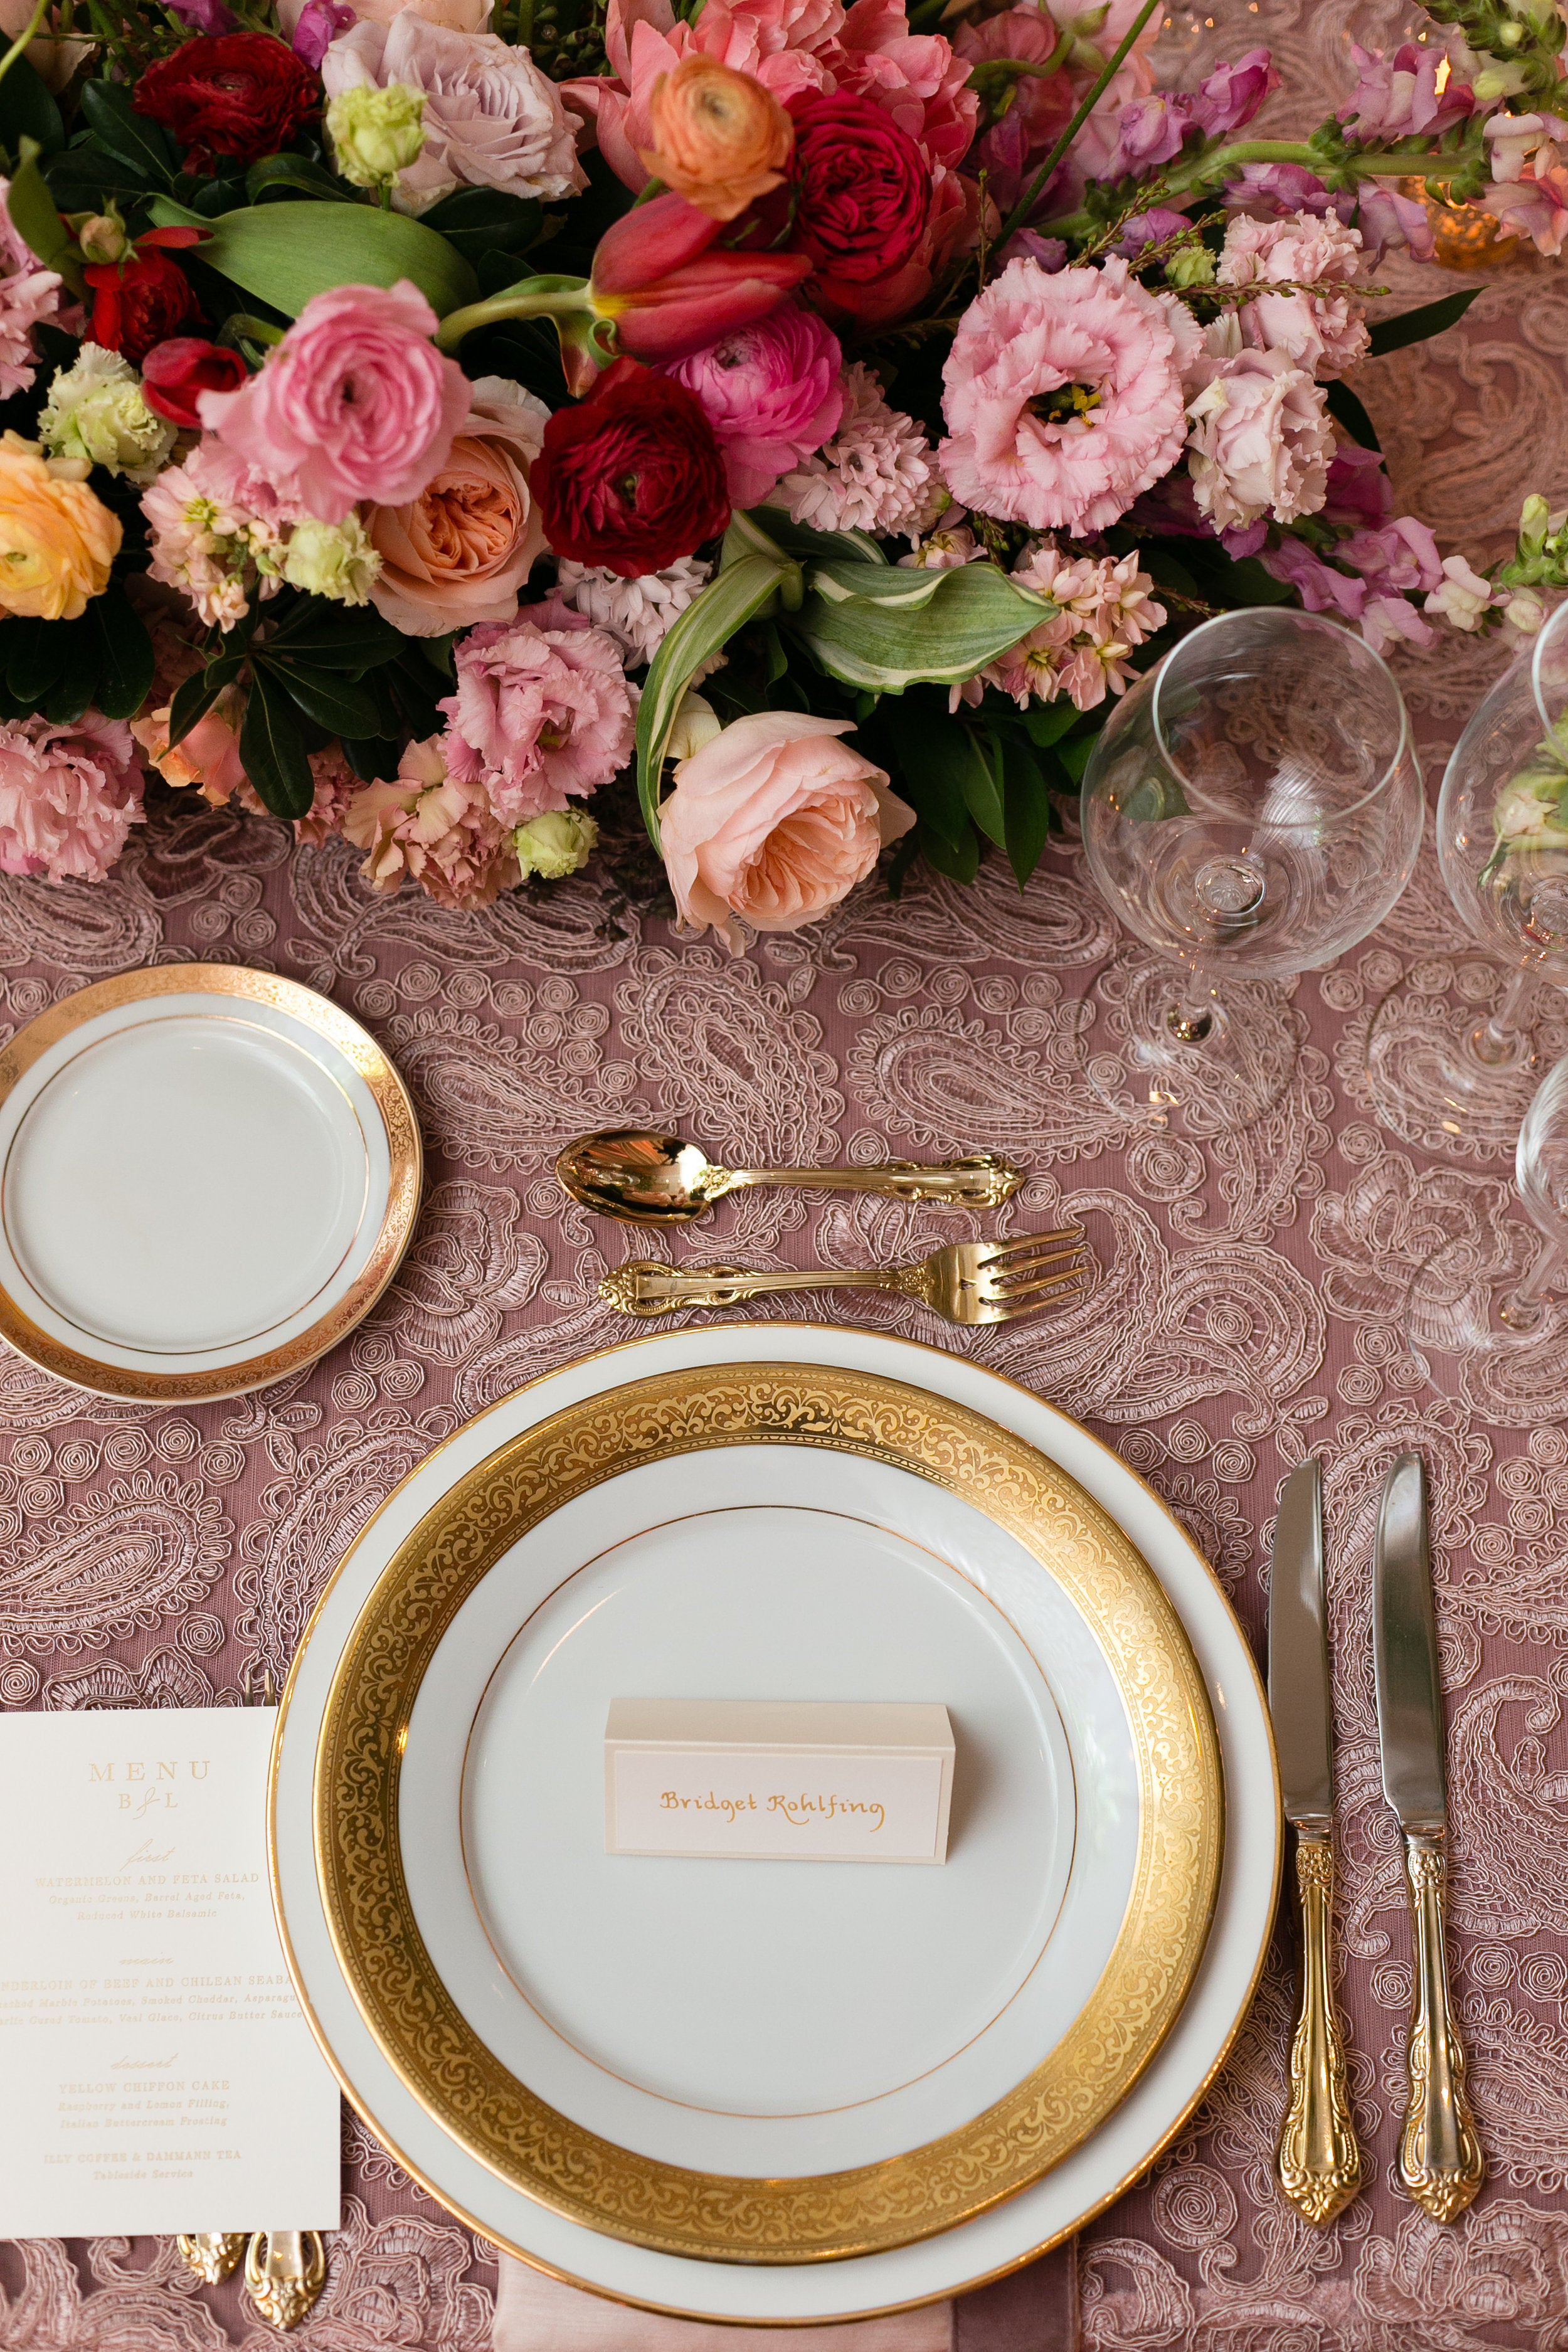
(664, 1182)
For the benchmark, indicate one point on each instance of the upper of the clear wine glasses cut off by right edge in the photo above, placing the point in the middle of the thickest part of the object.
(1456, 1062)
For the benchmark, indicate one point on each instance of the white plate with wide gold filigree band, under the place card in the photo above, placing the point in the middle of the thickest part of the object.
(749, 2064)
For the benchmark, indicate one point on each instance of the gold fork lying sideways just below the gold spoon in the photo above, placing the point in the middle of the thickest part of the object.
(970, 1283)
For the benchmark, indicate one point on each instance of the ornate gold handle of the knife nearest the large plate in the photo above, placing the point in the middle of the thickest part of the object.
(1320, 2165)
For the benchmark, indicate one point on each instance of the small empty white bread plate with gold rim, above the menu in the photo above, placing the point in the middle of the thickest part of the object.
(208, 1177)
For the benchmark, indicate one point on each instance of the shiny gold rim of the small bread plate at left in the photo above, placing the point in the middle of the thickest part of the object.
(398, 1215)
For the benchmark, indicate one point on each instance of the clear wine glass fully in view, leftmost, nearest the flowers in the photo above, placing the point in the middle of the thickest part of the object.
(1252, 808)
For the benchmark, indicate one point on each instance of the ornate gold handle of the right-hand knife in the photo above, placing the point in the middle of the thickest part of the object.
(1440, 2153)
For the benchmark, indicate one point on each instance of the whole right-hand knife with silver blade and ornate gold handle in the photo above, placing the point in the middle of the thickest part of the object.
(1440, 2153)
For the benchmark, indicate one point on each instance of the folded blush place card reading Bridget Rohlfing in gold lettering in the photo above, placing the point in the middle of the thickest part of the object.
(765, 1782)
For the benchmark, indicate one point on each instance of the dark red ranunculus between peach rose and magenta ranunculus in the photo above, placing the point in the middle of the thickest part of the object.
(631, 479)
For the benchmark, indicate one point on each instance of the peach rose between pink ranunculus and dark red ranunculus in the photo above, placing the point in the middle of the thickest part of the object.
(464, 549)
